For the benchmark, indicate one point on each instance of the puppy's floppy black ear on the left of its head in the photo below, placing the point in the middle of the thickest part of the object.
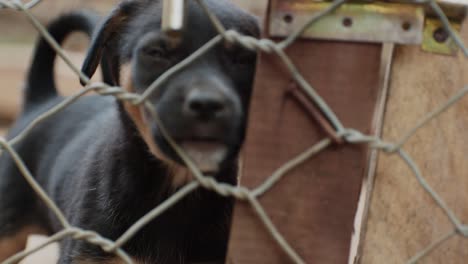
(104, 44)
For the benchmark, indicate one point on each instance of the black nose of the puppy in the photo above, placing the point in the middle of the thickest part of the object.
(205, 103)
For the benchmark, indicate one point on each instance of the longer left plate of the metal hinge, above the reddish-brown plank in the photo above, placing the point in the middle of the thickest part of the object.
(362, 22)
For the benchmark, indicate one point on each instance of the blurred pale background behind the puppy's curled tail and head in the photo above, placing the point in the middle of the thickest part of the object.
(17, 38)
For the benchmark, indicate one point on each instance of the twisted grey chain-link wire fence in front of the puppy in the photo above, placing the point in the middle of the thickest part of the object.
(251, 196)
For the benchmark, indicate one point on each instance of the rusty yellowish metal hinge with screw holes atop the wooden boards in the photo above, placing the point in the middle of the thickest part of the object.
(402, 22)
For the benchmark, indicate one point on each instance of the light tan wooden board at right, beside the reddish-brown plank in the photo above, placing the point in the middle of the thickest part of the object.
(403, 218)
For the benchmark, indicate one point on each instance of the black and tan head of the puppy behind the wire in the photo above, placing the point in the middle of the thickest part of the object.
(203, 106)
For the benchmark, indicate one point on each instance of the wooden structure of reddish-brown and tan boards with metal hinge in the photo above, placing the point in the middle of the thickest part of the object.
(381, 67)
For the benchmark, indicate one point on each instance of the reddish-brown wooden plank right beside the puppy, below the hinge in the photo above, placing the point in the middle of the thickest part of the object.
(314, 206)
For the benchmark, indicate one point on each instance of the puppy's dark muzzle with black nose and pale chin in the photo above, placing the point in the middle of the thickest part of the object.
(205, 120)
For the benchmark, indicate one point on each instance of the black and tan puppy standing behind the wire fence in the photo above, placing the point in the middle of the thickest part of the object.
(106, 163)
